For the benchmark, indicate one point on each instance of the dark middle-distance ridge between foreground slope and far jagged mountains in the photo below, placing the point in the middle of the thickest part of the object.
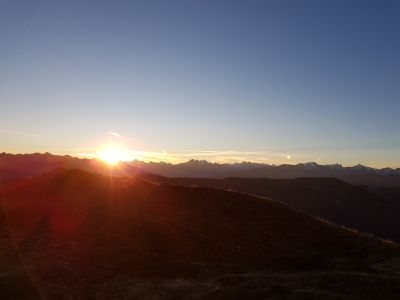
(374, 211)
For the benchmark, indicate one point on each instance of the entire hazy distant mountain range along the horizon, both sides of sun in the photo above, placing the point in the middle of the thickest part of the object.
(25, 165)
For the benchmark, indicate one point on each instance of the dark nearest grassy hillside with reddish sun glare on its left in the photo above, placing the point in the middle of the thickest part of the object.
(86, 236)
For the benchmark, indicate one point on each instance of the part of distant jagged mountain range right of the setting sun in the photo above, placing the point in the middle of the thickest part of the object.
(358, 174)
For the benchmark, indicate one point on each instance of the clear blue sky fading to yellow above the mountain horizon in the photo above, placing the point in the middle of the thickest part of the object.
(265, 81)
